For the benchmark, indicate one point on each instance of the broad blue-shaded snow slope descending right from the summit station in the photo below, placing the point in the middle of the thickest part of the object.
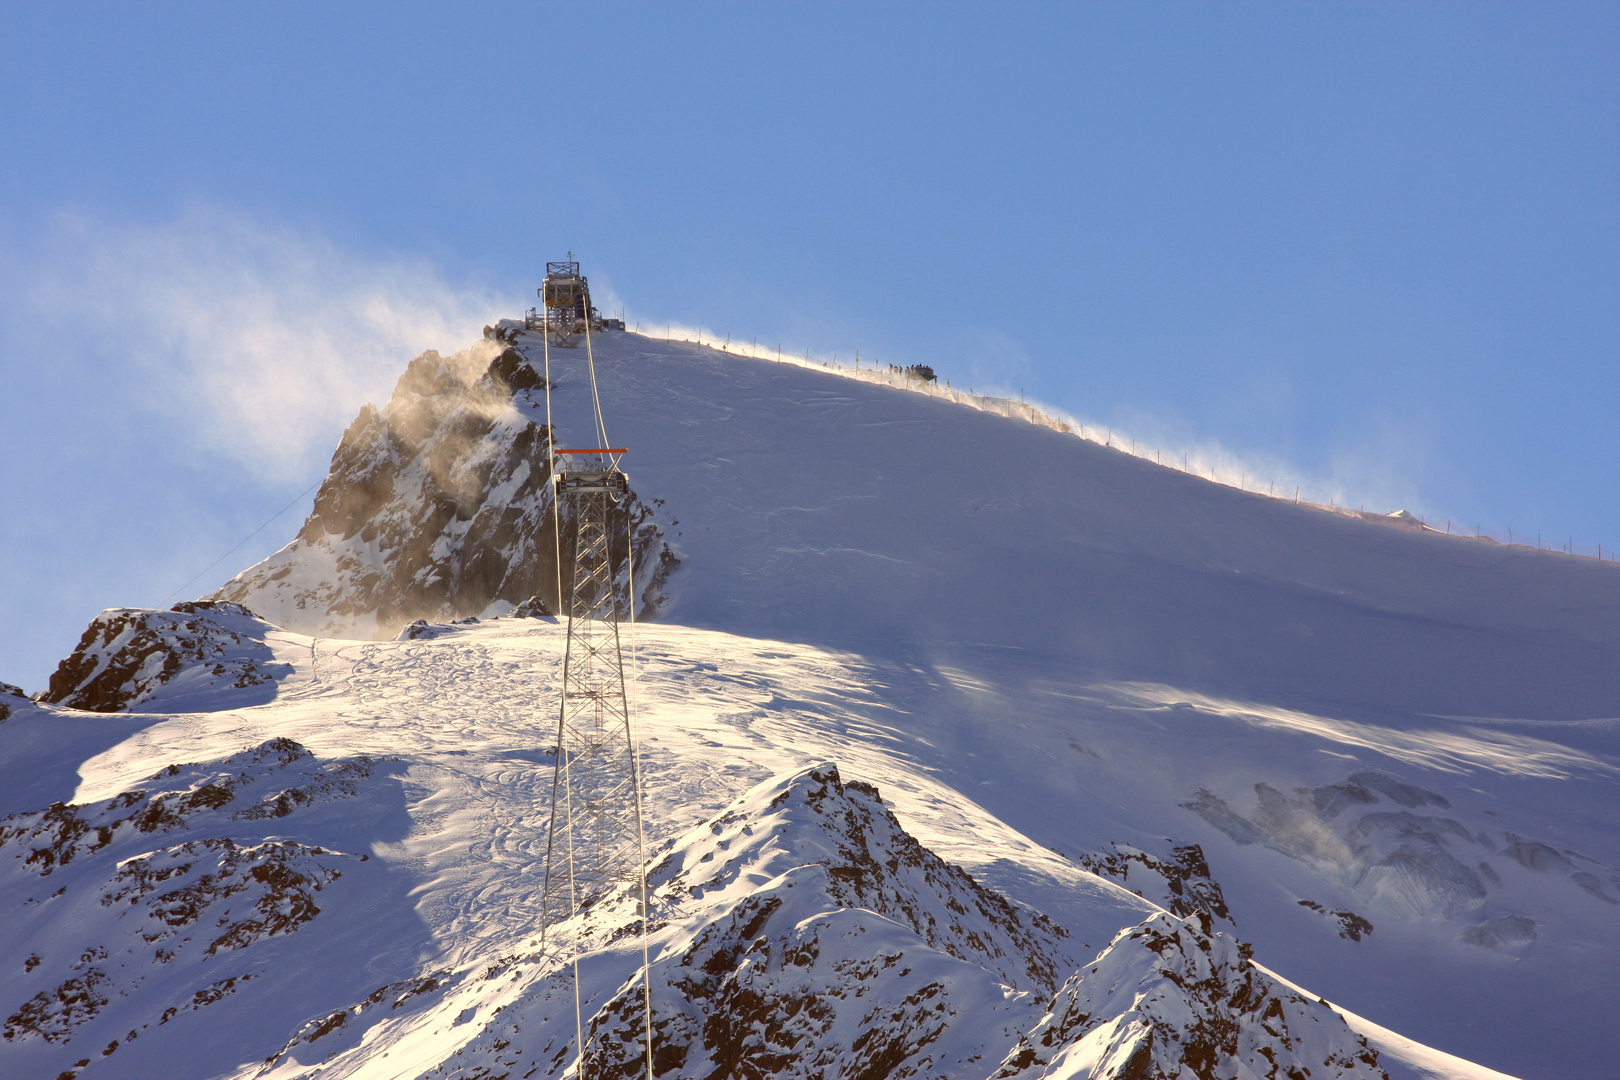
(1096, 647)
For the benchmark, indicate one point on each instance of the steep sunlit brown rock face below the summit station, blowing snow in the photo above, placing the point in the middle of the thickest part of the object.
(438, 508)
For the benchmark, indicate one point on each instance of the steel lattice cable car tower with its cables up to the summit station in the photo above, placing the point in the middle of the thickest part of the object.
(595, 844)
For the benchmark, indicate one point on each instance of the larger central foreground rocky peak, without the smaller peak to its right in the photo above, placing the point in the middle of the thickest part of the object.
(806, 935)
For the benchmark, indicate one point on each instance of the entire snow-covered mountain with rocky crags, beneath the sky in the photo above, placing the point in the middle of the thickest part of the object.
(973, 747)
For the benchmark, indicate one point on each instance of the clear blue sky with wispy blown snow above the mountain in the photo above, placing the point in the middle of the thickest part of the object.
(1373, 249)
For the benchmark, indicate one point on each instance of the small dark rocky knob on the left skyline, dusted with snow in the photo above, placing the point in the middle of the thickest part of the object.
(187, 655)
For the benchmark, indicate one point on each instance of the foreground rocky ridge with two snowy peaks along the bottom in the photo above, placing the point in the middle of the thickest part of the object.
(803, 933)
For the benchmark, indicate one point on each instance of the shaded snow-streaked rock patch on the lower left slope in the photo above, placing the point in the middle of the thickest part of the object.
(168, 888)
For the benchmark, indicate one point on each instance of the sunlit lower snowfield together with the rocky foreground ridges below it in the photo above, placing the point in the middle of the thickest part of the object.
(343, 883)
